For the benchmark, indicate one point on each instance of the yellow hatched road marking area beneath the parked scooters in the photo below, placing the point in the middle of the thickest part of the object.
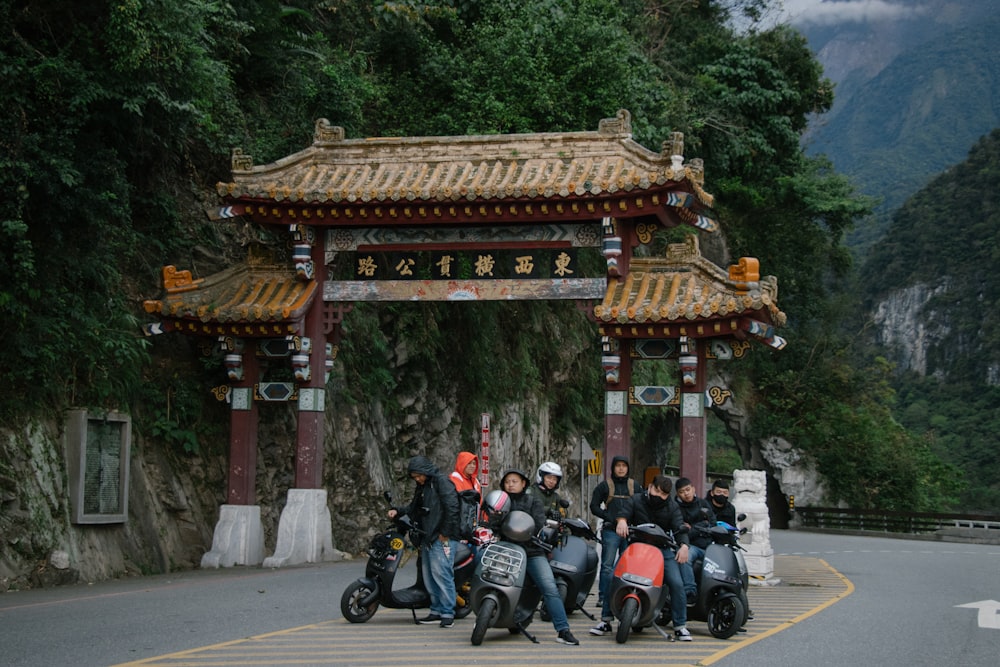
(808, 586)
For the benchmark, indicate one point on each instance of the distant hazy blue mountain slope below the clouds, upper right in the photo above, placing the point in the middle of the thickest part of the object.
(917, 117)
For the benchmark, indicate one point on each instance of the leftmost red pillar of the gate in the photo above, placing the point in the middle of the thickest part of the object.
(243, 419)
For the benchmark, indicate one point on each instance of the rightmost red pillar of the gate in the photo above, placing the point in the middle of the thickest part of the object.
(693, 420)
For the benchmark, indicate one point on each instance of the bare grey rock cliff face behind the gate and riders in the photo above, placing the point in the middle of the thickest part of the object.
(174, 497)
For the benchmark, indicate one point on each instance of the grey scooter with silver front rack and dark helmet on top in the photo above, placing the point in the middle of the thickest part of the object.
(503, 595)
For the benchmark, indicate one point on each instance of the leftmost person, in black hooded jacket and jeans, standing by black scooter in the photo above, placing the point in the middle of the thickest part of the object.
(434, 510)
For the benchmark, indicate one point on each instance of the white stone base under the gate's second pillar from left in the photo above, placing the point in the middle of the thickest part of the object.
(304, 530)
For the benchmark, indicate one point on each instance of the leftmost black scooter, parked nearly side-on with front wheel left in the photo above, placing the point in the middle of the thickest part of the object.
(386, 553)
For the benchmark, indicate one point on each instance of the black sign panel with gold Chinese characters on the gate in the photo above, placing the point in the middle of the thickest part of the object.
(484, 264)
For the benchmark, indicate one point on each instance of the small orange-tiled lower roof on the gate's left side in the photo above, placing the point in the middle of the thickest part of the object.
(247, 300)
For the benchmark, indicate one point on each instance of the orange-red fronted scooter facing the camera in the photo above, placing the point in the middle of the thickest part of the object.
(637, 590)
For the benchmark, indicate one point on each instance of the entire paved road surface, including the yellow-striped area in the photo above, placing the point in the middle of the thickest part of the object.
(841, 600)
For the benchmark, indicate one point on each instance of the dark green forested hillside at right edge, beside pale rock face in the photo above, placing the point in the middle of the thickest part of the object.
(948, 235)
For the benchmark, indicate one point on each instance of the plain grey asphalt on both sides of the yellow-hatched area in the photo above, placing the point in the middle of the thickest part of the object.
(904, 610)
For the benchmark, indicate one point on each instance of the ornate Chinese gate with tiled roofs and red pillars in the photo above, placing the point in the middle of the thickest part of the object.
(499, 217)
